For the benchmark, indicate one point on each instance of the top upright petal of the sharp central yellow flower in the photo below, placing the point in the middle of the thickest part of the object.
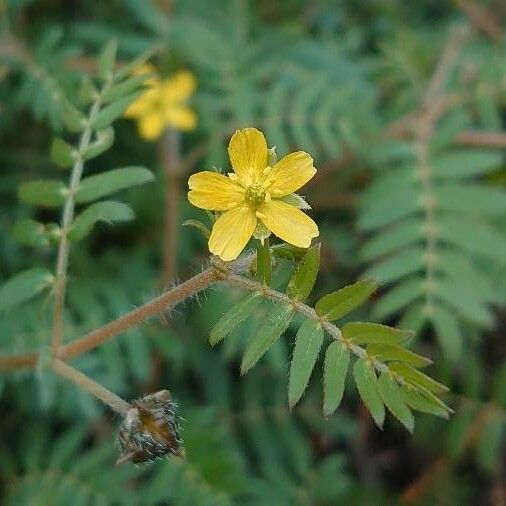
(248, 154)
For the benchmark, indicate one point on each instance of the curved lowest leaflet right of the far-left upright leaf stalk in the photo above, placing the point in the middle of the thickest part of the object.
(107, 211)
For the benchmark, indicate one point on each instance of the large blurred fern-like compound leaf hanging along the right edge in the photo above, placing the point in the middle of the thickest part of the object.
(433, 220)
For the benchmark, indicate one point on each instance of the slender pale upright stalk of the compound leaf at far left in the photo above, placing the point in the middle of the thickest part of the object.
(67, 218)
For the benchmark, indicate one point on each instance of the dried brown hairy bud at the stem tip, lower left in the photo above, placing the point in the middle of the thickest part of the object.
(150, 430)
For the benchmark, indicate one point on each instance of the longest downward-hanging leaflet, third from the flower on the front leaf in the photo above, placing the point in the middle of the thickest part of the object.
(308, 342)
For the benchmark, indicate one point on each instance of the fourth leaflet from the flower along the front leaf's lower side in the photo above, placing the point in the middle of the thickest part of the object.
(337, 362)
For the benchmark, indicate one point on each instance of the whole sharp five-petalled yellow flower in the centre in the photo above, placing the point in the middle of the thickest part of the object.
(253, 192)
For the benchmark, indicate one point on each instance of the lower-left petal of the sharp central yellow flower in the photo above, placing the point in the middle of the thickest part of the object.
(231, 232)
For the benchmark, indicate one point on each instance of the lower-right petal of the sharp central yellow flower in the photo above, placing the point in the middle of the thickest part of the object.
(288, 223)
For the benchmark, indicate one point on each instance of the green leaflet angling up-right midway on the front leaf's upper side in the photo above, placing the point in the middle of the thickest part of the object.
(339, 303)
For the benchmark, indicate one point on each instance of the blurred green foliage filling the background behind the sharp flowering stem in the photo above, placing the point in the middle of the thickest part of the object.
(402, 106)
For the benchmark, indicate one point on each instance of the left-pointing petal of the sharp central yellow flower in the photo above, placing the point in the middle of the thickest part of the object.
(213, 191)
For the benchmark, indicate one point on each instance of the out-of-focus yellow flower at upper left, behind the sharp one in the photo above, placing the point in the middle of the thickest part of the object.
(163, 104)
